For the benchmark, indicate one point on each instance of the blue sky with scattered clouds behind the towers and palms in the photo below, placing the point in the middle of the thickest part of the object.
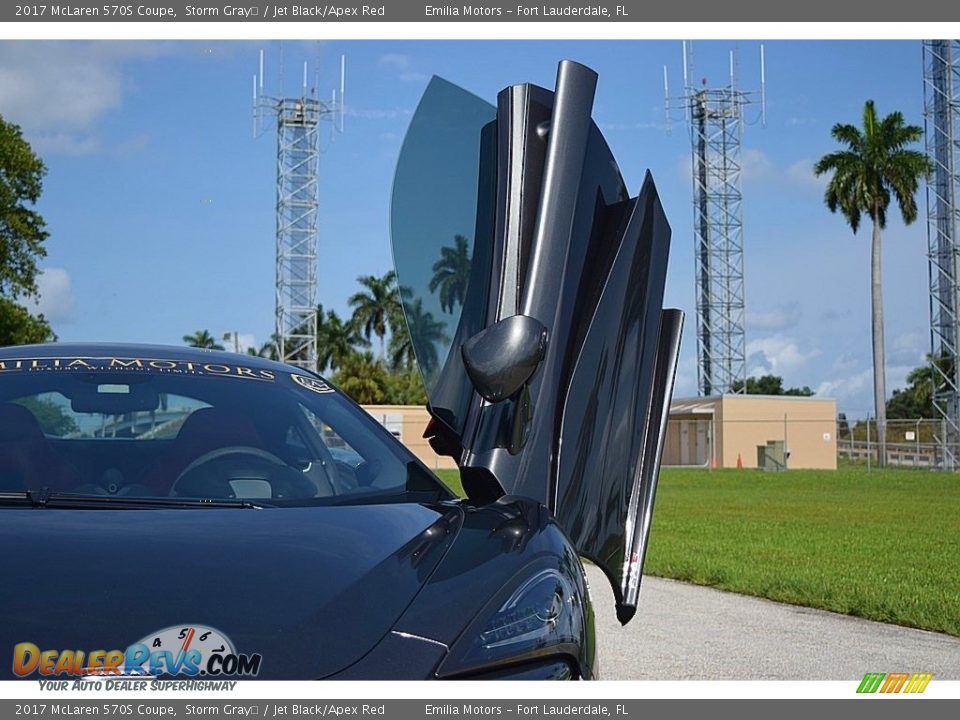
(160, 203)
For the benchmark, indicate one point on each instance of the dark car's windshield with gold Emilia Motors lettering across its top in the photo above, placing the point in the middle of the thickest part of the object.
(128, 428)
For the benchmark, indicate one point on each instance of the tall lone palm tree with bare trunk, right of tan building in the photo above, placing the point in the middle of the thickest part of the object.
(875, 166)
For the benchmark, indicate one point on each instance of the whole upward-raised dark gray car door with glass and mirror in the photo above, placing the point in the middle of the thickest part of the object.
(532, 285)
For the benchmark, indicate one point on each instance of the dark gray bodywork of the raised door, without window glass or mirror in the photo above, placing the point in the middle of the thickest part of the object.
(566, 246)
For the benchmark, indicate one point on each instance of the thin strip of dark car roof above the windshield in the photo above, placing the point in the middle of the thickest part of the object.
(134, 350)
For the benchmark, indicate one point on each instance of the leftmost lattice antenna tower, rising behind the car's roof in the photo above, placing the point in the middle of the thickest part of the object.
(298, 121)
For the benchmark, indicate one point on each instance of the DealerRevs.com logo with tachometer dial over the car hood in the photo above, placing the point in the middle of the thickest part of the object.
(190, 651)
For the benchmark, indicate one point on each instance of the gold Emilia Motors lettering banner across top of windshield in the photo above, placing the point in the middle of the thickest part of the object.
(122, 364)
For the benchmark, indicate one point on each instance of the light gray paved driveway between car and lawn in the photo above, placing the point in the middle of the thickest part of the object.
(684, 631)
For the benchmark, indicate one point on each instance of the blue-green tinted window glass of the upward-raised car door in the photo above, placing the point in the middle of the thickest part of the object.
(441, 220)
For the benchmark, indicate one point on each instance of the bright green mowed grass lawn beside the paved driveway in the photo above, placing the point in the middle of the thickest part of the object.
(883, 545)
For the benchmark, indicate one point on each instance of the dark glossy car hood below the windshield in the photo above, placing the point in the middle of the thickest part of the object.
(310, 589)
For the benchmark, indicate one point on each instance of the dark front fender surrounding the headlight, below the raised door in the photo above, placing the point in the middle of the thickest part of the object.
(497, 546)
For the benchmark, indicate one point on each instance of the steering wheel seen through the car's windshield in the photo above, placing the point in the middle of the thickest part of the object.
(254, 463)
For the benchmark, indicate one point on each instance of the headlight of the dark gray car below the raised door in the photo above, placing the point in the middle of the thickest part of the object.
(542, 617)
